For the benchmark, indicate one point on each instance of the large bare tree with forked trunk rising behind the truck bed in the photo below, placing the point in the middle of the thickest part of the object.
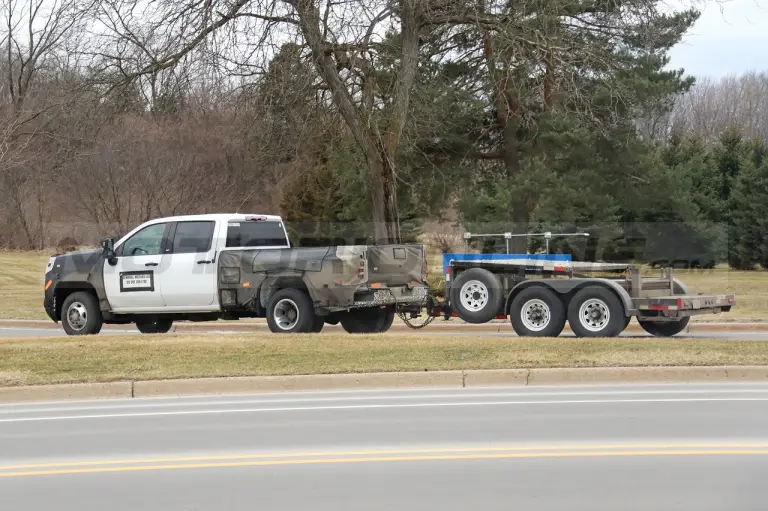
(348, 42)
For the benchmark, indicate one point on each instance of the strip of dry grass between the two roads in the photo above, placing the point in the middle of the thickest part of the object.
(111, 358)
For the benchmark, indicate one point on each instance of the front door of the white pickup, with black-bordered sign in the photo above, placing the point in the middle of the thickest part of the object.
(132, 285)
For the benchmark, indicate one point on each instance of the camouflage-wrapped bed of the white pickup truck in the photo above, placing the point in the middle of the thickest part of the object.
(336, 278)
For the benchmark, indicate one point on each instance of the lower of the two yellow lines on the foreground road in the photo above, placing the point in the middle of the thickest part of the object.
(318, 461)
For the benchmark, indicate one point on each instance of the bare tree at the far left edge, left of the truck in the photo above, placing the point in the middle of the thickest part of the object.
(37, 37)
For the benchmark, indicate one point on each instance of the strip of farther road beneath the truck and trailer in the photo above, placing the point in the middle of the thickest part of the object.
(506, 331)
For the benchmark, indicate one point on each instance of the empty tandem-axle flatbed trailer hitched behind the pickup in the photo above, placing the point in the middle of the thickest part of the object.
(596, 299)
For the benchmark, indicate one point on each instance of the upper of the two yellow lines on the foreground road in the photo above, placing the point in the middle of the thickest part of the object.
(516, 448)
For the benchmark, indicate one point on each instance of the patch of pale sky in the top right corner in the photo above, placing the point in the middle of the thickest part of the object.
(730, 37)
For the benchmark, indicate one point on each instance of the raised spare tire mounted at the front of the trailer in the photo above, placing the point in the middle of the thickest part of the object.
(476, 295)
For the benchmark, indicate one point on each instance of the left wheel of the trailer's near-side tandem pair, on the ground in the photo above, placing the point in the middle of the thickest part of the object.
(537, 312)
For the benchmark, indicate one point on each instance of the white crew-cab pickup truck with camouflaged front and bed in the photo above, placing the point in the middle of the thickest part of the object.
(232, 266)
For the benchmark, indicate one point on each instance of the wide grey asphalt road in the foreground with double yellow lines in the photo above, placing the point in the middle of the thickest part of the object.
(695, 447)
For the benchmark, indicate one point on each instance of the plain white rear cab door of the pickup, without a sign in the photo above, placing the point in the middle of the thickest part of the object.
(188, 268)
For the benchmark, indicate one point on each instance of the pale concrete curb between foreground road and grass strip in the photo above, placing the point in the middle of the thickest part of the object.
(441, 379)
